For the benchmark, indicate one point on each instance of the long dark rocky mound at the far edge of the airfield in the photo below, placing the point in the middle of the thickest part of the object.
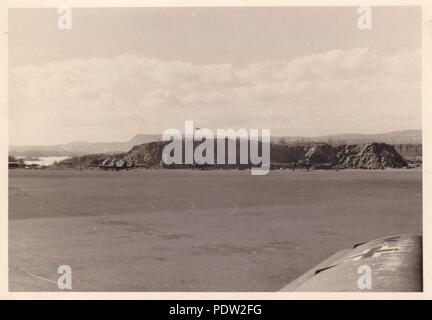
(357, 156)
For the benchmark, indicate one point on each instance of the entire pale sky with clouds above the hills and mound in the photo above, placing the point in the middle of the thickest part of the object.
(297, 71)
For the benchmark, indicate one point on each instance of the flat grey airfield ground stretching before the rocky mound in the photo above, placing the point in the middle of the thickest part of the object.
(192, 230)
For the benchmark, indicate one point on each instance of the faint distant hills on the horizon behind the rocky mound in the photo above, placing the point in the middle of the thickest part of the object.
(83, 148)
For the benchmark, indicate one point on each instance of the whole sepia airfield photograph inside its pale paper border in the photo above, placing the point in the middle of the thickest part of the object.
(215, 149)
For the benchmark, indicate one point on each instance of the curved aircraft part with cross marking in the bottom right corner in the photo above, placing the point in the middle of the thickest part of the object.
(391, 264)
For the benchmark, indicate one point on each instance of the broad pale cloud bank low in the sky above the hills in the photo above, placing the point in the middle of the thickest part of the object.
(104, 98)
